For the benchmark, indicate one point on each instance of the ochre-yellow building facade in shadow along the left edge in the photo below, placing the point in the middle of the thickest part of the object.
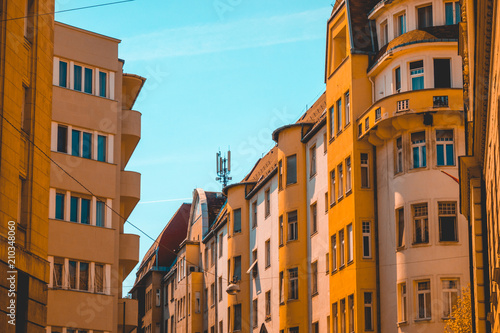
(26, 50)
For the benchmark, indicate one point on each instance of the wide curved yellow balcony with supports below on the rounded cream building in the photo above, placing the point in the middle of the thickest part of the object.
(392, 112)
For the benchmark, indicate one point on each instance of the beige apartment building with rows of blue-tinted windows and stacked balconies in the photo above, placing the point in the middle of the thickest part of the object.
(94, 133)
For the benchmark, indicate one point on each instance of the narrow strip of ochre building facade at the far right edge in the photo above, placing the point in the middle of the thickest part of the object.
(479, 174)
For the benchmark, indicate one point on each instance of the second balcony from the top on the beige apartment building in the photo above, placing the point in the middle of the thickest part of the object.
(131, 133)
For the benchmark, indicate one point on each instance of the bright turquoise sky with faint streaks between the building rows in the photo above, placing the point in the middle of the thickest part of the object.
(220, 73)
